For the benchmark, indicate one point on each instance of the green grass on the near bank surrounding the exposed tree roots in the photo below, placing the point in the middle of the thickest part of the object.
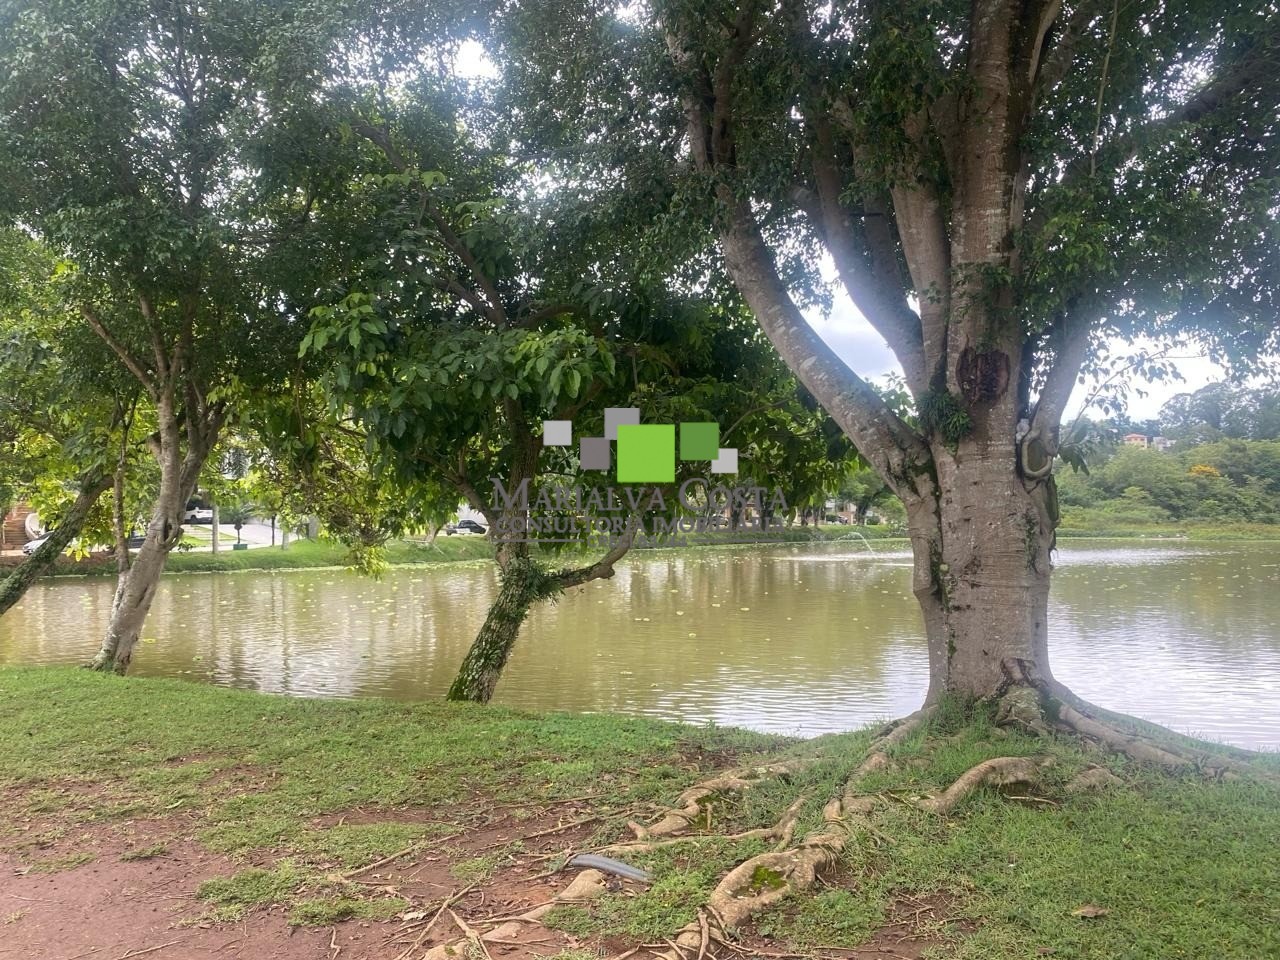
(295, 797)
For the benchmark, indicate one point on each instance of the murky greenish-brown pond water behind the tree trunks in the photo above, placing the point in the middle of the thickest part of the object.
(789, 639)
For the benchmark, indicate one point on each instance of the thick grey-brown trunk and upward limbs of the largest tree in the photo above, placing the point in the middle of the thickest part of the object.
(982, 528)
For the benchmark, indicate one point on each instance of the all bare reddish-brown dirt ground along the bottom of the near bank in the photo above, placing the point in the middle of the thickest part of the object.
(53, 908)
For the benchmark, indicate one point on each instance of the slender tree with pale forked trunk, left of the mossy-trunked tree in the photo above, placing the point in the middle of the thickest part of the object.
(127, 138)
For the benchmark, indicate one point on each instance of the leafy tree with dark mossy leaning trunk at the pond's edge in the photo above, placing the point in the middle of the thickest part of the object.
(483, 309)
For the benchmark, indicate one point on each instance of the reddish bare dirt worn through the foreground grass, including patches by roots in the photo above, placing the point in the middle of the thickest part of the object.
(113, 909)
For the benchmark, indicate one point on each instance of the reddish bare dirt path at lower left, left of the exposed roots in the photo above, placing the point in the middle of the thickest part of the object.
(118, 909)
